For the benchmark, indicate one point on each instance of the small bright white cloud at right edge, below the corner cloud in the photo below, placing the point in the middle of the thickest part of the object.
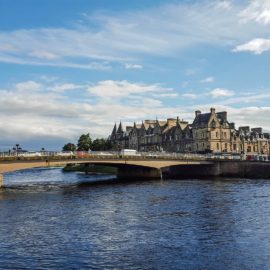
(256, 46)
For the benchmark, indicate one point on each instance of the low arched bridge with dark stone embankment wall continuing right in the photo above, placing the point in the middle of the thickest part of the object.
(150, 169)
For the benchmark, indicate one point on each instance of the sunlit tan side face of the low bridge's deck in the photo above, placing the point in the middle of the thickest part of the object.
(9, 166)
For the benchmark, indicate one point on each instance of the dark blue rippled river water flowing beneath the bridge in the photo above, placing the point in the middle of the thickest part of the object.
(49, 221)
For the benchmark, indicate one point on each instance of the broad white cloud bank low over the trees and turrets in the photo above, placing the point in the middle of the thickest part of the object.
(47, 113)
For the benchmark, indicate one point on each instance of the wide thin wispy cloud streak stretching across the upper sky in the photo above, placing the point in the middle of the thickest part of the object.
(129, 36)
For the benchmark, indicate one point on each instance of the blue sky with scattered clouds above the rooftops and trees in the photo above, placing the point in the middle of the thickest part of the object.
(71, 67)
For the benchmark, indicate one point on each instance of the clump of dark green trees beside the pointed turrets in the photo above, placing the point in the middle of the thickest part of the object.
(85, 143)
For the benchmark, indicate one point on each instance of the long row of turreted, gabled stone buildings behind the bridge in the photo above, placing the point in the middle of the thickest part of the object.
(209, 133)
